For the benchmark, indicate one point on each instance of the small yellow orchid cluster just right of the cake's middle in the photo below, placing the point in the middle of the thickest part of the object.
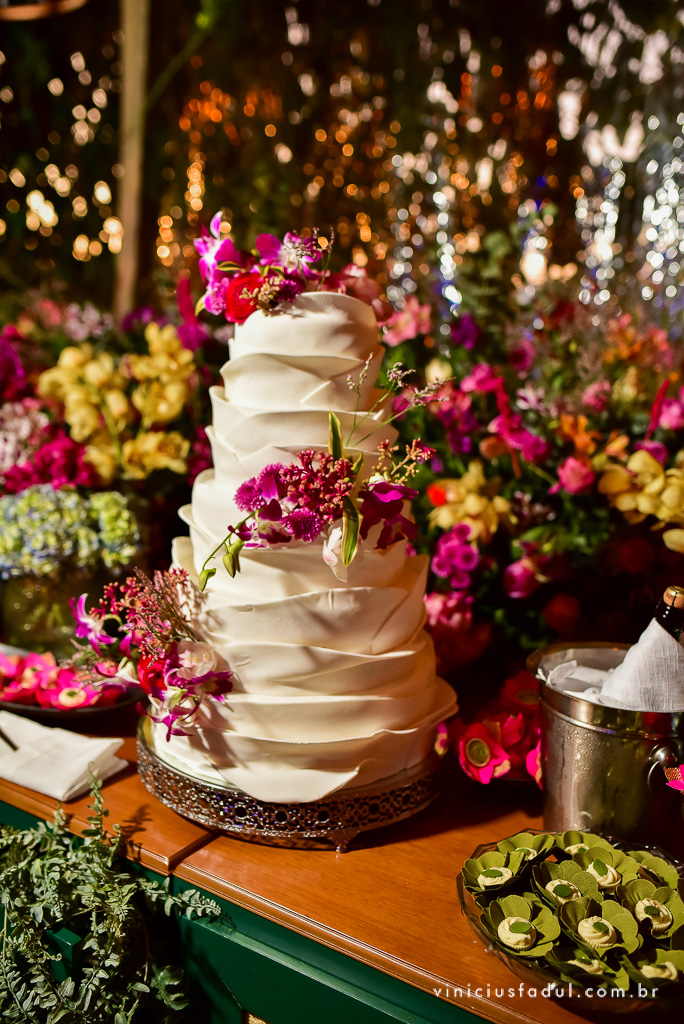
(475, 501)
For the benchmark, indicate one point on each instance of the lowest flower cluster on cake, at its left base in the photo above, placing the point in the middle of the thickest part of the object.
(141, 634)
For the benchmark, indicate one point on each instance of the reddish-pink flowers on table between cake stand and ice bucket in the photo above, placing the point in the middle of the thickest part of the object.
(506, 738)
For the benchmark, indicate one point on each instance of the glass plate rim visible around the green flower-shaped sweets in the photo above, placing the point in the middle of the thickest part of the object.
(539, 972)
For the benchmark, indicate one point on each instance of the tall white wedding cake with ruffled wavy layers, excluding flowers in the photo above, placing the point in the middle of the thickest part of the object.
(334, 679)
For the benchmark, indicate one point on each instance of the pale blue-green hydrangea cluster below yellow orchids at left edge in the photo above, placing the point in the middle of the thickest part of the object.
(45, 532)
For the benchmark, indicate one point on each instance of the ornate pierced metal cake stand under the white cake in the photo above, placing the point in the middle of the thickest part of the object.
(334, 821)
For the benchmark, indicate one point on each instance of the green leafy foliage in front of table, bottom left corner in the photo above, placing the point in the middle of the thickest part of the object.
(78, 946)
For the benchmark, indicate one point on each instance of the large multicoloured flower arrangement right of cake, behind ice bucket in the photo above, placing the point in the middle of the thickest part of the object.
(558, 481)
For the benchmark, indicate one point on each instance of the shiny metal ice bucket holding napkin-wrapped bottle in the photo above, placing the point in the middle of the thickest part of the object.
(604, 767)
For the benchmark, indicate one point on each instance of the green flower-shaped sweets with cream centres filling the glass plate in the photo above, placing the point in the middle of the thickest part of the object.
(587, 912)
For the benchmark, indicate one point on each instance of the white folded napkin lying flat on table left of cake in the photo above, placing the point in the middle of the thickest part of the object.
(55, 762)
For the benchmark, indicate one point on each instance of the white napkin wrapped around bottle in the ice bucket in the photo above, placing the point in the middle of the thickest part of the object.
(652, 676)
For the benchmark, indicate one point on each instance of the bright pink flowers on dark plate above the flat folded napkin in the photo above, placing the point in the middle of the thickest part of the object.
(37, 680)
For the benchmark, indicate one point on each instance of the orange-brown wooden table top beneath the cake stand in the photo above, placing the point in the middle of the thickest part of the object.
(391, 902)
